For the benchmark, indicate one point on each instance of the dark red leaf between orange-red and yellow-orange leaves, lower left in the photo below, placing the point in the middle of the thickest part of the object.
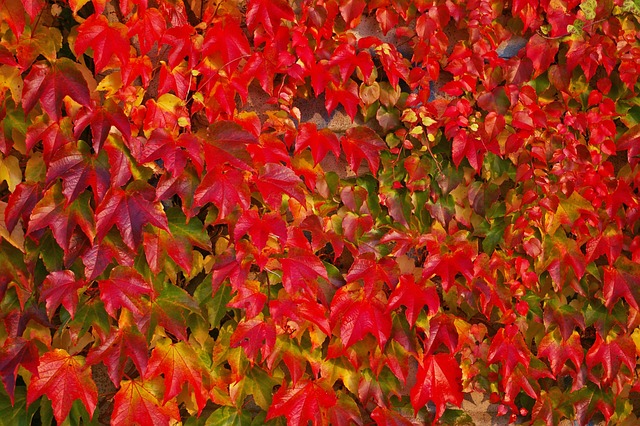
(117, 346)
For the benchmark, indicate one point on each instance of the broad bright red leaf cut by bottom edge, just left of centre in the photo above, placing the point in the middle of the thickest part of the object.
(303, 403)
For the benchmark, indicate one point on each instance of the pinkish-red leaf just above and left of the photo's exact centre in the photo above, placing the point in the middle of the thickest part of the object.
(274, 180)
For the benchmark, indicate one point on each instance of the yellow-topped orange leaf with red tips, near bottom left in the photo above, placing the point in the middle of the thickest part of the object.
(179, 364)
